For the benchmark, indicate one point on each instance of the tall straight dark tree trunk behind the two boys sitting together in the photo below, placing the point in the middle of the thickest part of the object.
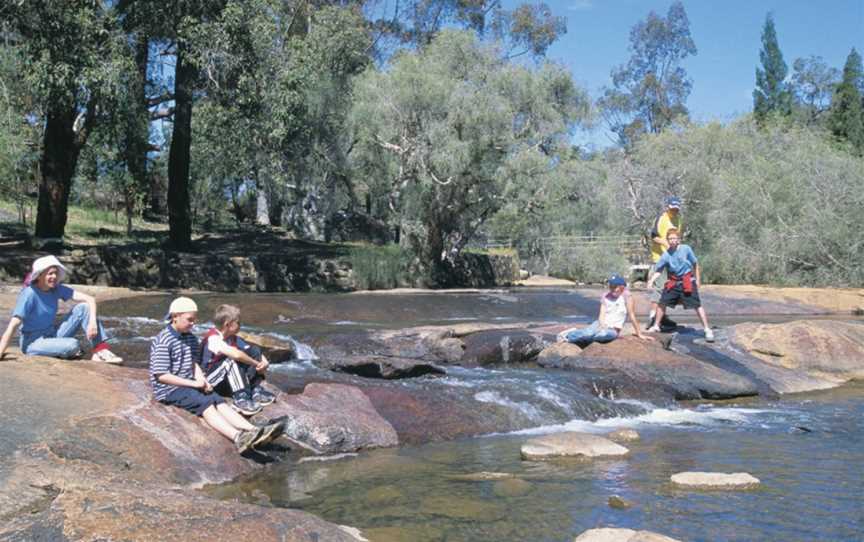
(179, 217)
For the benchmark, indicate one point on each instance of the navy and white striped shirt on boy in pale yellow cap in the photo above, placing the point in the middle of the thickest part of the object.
(175, 353)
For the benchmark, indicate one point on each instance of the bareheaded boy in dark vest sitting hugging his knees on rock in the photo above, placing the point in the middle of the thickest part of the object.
(233, 366)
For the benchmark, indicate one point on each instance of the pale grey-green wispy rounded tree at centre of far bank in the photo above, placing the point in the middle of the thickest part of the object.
(454, 126)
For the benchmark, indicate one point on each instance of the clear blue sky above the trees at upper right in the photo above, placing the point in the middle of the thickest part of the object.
(727, 35)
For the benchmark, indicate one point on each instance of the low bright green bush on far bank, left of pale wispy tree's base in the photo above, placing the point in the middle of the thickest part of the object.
(377, 267)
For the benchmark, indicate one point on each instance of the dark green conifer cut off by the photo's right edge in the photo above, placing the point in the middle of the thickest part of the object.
(847, 114)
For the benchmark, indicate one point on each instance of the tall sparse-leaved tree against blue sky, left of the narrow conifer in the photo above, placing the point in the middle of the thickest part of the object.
(650, 92)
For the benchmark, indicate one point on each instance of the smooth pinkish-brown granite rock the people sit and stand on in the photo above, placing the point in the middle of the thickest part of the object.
(85, 454)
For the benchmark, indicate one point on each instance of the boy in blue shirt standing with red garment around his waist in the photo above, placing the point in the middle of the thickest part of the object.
(682, 283)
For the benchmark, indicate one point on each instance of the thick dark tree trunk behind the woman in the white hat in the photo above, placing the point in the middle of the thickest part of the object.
(59, 158)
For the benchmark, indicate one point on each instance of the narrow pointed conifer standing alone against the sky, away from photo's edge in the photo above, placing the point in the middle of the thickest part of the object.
(772, 93)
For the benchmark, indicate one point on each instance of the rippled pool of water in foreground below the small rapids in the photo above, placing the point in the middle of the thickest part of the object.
(812, 486)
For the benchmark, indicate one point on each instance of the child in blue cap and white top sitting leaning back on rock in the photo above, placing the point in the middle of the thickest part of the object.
(616, 306)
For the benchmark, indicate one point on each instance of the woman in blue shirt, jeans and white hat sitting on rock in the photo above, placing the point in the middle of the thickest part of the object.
(36, 310)
